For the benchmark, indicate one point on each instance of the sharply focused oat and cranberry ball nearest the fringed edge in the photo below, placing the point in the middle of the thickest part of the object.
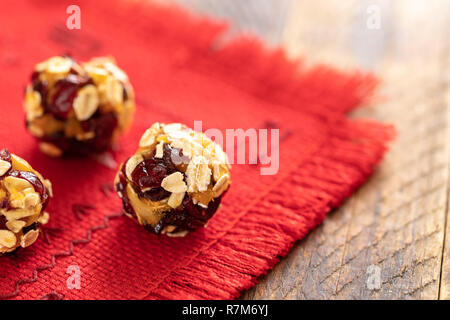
(175, 181)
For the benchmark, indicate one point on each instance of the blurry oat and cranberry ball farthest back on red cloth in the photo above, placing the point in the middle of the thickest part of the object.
(78, 108)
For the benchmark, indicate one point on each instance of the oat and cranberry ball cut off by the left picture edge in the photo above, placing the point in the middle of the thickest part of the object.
(24, 194)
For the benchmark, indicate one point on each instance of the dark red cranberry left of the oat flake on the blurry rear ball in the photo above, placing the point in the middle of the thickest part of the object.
(65, 91)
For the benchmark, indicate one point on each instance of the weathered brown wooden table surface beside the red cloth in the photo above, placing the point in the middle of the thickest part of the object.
(394, 229)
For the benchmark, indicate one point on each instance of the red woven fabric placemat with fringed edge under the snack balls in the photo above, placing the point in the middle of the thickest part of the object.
(182, 71)
